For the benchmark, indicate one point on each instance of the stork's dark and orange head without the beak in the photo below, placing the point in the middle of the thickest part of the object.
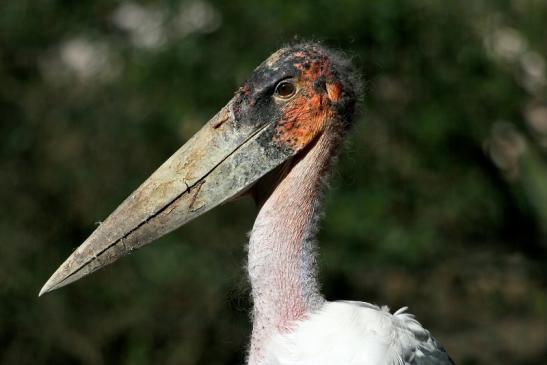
(301, 89)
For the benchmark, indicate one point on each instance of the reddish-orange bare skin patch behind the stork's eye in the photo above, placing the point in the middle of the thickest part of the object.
(305, 116)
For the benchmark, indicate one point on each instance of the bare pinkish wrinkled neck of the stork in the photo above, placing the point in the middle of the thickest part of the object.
(283, 255)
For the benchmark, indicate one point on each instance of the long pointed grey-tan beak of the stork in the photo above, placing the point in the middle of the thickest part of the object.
(220, 161)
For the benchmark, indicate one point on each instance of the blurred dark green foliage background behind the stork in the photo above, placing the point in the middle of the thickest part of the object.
(439, 201)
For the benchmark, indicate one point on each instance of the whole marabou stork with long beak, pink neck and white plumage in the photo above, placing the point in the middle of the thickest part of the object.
(275, 140)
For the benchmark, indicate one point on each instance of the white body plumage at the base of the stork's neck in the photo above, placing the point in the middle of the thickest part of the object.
(356, 333)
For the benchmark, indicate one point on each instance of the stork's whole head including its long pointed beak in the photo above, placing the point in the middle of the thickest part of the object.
(297, 94)
